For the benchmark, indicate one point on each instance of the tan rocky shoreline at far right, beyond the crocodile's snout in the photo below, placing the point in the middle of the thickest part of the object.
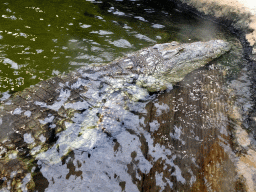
(240, 18)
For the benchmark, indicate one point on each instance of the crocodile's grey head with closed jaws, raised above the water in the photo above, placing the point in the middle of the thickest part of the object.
(171, 62)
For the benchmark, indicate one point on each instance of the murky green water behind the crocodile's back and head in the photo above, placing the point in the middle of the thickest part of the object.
(40, 39)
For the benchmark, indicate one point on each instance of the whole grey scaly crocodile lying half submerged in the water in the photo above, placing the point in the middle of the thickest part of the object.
(83, 109)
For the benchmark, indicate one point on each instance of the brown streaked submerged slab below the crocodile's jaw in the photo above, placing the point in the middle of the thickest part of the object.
(196, 127)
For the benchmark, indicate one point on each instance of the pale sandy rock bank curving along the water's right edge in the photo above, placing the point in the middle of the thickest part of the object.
(239, 16)
